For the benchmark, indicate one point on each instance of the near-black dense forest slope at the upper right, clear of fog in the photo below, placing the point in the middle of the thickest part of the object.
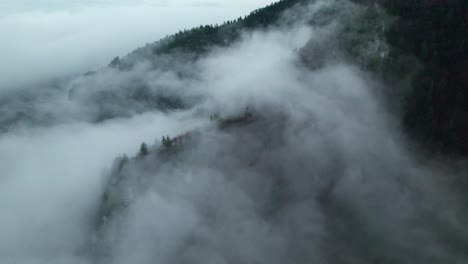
(436, 32)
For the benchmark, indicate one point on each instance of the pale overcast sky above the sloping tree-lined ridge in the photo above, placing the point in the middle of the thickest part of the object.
(42, 39)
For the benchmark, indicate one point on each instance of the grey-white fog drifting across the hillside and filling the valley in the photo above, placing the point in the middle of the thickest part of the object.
(289, 156)
